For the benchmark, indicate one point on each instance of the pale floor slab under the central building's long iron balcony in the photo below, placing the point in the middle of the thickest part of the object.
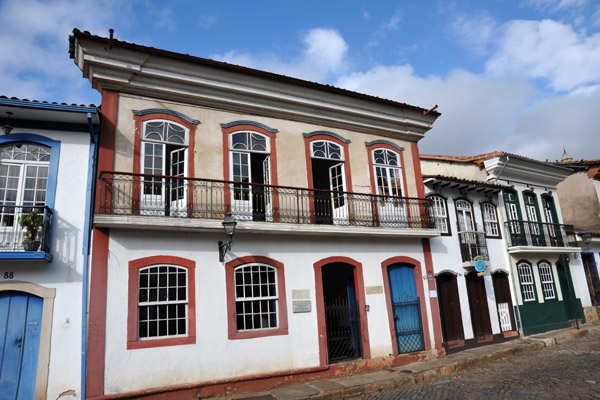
(210, 225)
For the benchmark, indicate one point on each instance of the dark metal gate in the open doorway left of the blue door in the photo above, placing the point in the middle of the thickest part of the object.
(343, 329)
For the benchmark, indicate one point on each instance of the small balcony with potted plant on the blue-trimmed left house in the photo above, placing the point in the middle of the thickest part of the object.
(13, 245)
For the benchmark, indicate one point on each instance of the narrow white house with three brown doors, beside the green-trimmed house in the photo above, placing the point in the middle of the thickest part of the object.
(476, 307)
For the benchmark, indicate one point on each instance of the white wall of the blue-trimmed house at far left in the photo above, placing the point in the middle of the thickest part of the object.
(65, 271)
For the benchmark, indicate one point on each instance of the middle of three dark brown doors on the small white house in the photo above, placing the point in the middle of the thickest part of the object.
(480, 314)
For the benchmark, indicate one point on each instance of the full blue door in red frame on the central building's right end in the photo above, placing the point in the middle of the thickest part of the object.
(406, 308)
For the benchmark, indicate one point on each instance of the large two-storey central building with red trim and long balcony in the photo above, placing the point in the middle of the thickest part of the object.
(330, 260)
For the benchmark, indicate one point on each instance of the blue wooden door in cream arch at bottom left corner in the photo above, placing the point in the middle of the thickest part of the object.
(20, 327)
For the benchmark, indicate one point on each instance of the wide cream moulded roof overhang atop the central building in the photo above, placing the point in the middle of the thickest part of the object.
(139, 70)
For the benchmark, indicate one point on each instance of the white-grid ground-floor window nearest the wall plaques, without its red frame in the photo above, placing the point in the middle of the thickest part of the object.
(255, 297)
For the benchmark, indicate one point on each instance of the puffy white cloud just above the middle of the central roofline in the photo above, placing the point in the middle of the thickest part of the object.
(324, 55)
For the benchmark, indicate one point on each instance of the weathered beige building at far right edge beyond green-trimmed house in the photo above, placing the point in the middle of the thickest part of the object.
(579, 196)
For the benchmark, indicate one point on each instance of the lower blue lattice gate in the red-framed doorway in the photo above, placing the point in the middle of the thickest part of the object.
(407, 318)
